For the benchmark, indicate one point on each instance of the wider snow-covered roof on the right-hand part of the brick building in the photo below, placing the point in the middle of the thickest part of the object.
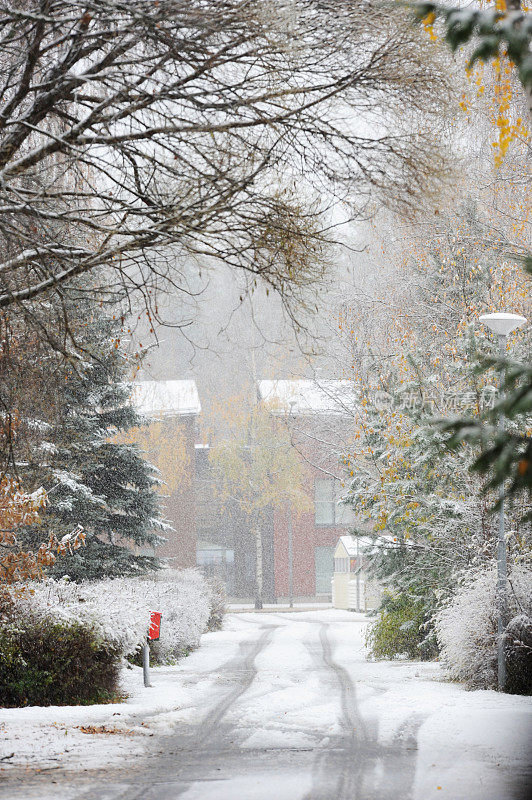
(308, 396)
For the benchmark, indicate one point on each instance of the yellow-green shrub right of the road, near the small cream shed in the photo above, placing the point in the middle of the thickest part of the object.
(400, 630)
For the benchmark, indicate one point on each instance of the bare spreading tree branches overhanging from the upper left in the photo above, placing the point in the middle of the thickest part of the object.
(137, 135)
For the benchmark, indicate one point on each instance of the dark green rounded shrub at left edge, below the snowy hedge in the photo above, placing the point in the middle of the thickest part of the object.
(43, 662)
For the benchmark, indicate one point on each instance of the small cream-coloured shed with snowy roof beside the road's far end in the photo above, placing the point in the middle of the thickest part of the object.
(352, 588)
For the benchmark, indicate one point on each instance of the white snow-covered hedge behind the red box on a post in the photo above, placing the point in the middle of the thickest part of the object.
(118, 609)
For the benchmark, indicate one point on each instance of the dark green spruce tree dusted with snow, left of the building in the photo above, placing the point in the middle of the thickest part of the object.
(93, 479)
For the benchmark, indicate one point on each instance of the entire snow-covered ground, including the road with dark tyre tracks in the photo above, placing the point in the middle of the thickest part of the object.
(278, 705)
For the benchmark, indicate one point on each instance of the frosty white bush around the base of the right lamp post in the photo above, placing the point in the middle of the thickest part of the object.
(466, 627)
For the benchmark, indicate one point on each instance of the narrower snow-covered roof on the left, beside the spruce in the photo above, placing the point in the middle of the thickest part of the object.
(166, 398)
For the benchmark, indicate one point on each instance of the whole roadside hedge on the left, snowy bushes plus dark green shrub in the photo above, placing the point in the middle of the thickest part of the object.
(63, 643)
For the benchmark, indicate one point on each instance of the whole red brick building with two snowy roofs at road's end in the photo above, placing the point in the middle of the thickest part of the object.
(320, 417)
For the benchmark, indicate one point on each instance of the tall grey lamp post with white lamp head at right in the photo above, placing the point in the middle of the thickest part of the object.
(502, 324)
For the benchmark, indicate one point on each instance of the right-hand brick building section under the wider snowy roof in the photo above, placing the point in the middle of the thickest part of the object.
(321, 418)
